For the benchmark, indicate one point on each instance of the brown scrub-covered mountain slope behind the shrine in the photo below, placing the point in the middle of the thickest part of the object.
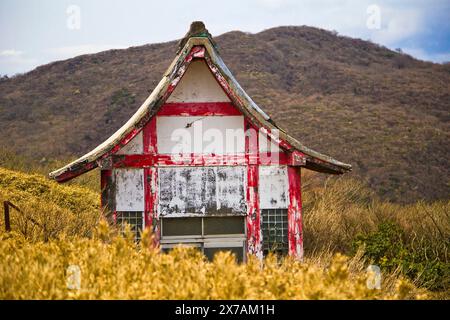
(384, 112)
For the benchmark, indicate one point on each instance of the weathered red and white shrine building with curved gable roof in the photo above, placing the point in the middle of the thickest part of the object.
(201, 164)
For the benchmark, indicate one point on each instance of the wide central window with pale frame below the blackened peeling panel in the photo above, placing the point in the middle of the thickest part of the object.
(209, 234)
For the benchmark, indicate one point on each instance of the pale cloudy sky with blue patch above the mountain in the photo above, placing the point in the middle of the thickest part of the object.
(36, 32)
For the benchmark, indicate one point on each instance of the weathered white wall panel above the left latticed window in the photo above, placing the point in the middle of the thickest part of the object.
(129, 189)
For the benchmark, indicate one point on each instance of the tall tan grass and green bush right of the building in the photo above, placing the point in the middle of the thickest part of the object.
(343, 215)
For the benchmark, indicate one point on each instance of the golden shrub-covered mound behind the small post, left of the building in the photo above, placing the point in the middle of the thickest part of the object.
(47, 209)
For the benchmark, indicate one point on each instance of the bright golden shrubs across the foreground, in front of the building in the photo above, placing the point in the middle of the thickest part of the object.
(114, 267)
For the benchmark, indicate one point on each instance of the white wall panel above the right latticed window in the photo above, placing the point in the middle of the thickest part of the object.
(273, 187)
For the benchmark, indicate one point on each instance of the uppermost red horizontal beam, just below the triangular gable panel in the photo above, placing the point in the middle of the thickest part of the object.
(199, 109)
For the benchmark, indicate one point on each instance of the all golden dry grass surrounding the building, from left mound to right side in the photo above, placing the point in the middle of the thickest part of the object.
(33, 264)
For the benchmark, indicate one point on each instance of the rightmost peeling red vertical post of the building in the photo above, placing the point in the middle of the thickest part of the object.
(295, 232)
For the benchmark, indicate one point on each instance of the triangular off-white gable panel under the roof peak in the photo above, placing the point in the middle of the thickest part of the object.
(198, 85)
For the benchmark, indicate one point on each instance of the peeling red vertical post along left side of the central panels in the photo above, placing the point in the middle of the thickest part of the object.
(151, 181)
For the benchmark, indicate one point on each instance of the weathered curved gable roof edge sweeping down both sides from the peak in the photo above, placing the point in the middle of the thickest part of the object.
(314, 160)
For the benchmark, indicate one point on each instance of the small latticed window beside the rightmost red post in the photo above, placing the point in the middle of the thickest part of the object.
(275, 231)
